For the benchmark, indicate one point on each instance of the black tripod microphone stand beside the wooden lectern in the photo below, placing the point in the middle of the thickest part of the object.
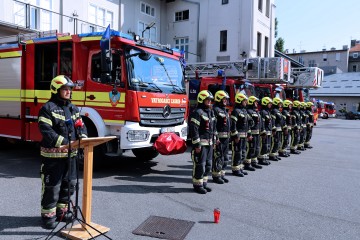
(76, 208)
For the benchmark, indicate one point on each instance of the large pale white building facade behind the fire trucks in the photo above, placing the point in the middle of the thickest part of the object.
(206, 30)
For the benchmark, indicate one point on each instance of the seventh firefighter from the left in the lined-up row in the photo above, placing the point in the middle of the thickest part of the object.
(287, 106)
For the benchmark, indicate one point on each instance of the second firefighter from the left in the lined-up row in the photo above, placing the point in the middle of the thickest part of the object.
(220, 158)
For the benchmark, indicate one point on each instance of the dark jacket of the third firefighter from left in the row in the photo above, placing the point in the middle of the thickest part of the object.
(240, 123)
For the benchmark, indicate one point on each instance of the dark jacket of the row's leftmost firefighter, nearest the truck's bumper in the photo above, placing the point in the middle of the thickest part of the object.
(202, 126)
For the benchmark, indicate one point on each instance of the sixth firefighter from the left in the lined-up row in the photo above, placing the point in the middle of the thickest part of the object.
(277, 128)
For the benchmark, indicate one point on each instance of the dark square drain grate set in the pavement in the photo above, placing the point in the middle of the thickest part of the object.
(164, 228)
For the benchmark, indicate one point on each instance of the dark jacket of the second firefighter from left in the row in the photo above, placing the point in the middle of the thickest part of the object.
(222, 121)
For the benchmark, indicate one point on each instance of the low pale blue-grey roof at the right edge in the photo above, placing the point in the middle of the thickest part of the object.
(340, 85)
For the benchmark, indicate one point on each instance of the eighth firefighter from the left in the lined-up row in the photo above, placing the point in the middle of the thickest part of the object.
(296, 124)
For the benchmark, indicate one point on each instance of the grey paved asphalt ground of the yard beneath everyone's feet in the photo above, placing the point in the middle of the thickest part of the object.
(314, 195)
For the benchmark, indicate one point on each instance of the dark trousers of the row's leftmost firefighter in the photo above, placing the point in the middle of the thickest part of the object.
(202, 165)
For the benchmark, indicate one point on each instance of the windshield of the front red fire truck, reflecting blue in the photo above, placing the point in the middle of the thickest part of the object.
(155, 73)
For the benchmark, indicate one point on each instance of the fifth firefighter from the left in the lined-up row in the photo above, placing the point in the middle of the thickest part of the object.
(266, 140)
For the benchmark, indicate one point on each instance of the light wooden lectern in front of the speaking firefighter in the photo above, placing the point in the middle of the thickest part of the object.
(82, 231)
